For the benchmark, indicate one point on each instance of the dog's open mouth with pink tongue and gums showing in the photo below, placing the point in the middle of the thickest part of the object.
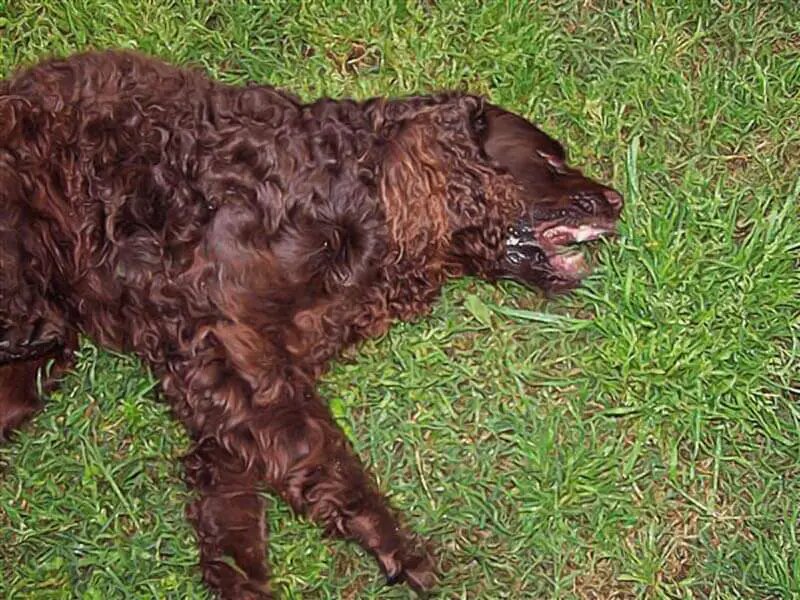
(546, 253)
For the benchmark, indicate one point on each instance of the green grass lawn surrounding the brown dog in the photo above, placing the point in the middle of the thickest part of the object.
(638, 438)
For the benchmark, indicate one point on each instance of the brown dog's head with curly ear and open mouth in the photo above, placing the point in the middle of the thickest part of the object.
(490, 193)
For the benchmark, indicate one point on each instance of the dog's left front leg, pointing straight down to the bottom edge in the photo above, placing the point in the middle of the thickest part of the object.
(228, 513)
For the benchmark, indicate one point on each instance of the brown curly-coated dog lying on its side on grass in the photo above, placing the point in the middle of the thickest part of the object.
(236, 240)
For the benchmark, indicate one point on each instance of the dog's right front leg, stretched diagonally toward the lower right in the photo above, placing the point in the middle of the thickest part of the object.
(309, 463)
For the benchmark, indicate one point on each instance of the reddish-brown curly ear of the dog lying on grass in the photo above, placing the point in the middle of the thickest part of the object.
(439, 185)
